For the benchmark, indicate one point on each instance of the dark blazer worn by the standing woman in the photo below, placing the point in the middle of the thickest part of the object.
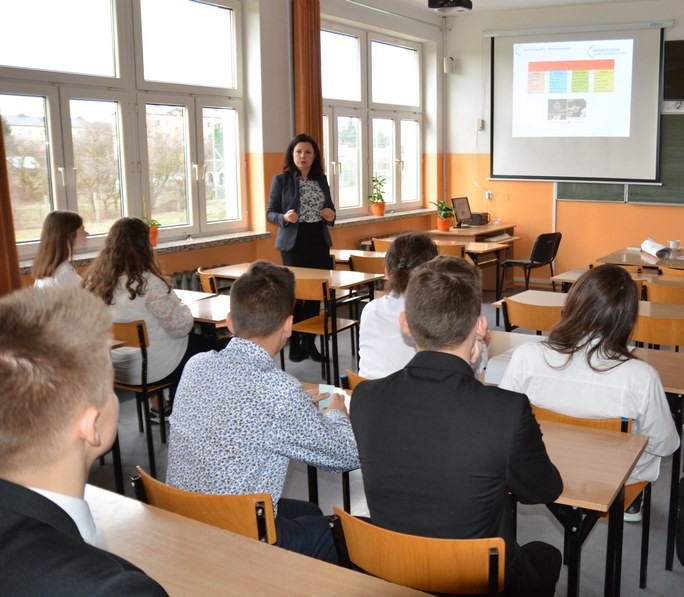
(283, 197)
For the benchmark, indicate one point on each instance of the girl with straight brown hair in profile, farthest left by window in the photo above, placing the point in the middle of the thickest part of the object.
(62, 233)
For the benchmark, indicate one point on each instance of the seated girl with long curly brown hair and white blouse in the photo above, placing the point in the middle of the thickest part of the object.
(127, 276)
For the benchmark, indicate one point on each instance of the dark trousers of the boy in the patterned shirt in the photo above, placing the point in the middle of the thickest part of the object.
(301, 527)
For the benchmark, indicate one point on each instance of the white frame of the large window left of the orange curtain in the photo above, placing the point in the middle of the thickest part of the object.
(56, 86)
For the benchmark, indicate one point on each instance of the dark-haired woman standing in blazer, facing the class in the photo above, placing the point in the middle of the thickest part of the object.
(300, 205)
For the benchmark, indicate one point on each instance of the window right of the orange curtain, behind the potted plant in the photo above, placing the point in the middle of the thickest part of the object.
(372, 117)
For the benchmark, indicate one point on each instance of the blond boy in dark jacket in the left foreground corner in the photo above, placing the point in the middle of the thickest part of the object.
(58, 414)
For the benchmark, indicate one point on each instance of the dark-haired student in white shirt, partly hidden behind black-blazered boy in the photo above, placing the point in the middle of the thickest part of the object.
(383, 348)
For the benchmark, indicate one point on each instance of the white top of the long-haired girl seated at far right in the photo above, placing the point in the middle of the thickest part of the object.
(631, 390)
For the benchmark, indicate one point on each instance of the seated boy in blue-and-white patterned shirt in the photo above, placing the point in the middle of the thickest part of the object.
(238, 419)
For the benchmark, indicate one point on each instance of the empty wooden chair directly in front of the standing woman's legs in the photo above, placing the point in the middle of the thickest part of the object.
(326, 324)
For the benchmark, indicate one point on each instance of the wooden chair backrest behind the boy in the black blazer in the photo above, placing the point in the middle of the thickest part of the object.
(464, 566)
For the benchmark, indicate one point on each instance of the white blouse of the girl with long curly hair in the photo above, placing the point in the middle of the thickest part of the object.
(168, 323)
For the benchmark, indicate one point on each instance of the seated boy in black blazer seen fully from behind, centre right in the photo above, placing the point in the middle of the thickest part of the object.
(439, 451)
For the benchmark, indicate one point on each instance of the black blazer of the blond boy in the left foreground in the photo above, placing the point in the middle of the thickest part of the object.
(42, 553)
